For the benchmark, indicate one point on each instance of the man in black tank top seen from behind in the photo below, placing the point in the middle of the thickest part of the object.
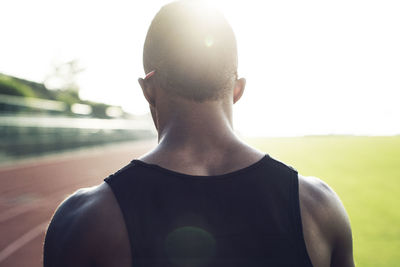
(202, 197)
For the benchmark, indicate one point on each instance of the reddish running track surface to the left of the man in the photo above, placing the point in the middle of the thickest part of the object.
(30, 193)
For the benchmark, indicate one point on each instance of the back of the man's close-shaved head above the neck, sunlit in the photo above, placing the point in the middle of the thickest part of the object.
(192, 48)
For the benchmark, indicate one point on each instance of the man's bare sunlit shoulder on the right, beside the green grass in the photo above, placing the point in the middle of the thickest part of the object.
(326, 225)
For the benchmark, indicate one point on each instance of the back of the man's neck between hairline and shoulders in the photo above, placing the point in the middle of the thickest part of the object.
(196, 127)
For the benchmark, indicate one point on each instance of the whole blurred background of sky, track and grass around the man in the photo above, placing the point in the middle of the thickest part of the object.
(322, 95)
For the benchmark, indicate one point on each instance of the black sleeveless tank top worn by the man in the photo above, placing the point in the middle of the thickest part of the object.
(246, 218)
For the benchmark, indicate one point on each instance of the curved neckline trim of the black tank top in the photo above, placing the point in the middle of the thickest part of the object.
(201, 177)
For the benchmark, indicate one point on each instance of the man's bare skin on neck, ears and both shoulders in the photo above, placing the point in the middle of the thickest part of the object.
(88, 228)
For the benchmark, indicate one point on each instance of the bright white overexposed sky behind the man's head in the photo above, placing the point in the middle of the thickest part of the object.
(312, 67)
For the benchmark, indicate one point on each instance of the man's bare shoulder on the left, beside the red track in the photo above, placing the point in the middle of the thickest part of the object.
(86, 228)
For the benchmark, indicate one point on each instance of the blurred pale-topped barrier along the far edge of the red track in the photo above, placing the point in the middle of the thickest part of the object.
(33, 135)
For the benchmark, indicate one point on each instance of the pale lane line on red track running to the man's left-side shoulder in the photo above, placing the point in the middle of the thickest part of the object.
(23, 240)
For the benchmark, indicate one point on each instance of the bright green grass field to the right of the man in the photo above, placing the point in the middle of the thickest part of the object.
(365, 173)
